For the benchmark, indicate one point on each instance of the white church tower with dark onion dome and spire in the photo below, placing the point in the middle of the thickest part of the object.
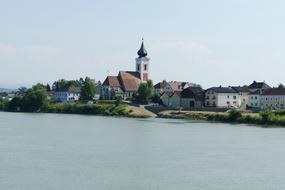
(142, 64)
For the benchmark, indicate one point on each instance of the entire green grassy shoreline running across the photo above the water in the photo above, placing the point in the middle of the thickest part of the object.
(264, 118)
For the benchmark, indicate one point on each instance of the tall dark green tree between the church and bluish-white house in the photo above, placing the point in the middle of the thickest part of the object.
(88, 90)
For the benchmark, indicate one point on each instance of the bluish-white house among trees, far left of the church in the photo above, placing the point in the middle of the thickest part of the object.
(71, 94)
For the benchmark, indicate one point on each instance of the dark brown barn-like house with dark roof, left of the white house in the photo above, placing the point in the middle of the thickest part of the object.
(192, 97)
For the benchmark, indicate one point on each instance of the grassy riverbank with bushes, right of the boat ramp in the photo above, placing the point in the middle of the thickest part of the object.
(266, 118)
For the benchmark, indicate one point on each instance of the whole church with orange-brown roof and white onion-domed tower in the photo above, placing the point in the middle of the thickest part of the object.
(126, 83)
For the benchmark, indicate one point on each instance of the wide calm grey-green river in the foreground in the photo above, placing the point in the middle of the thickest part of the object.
(76, 152)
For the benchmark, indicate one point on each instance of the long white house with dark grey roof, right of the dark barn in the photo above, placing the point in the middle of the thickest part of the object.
(222, 97)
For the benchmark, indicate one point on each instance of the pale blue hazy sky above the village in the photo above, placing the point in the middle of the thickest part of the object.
(212, 43)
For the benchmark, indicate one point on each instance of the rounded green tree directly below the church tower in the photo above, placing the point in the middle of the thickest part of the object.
(145, 92)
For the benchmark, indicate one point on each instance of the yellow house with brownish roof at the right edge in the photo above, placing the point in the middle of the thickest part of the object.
(273, 99)
